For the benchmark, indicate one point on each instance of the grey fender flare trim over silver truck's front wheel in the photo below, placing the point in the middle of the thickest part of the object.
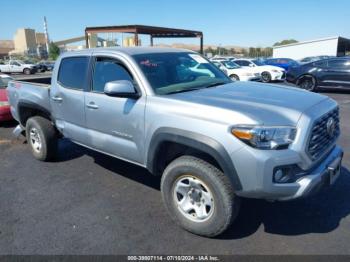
(196, 141)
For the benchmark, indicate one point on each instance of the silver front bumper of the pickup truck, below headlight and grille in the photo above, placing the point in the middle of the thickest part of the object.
(259, 183)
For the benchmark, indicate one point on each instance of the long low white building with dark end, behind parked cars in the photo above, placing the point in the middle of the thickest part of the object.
(332, 46)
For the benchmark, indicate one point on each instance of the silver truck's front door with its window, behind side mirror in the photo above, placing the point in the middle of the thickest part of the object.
(115, 124)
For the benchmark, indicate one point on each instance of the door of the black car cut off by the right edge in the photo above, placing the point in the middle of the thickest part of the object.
(338, 73)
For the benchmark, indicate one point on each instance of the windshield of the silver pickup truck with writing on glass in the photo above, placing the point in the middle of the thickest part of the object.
(170, 73)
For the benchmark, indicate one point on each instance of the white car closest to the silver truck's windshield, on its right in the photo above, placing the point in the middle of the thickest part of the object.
(236, 72)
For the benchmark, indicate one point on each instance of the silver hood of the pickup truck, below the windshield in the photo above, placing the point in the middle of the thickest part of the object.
(252, 103)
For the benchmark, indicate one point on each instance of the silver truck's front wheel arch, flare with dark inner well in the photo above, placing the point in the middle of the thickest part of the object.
(195, 143)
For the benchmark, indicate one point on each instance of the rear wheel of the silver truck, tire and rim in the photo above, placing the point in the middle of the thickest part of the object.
(47, 134)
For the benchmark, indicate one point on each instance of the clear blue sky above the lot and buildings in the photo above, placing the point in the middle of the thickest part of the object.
(223, 22)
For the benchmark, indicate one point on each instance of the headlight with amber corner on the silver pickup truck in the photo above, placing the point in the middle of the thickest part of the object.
(265, 137)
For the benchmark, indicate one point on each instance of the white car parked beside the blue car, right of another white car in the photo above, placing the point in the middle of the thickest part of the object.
(268, 73)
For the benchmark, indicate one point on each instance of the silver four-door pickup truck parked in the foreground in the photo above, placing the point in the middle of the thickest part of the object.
(212, 141)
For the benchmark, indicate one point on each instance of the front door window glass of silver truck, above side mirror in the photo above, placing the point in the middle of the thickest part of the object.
(108, 70)
